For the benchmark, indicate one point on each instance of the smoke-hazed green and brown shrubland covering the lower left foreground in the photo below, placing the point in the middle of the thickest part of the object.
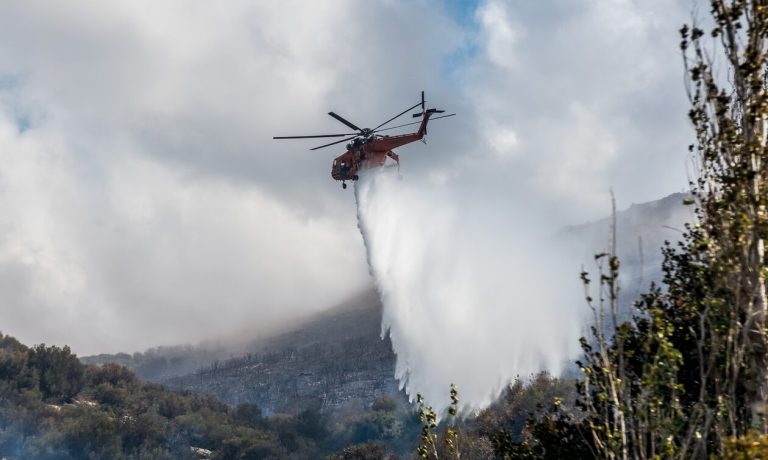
(54, 407)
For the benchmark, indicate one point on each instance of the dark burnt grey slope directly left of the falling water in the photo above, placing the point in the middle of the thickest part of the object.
(336, 361)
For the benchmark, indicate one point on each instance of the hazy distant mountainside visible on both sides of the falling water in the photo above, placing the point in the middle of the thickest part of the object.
(336, 360)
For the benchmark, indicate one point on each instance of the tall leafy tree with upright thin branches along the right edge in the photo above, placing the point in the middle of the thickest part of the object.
(689, 375)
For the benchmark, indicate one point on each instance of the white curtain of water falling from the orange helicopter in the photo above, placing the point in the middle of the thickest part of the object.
(475, 291)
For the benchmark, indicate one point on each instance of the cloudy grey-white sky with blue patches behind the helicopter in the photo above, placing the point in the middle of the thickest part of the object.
(143, 201)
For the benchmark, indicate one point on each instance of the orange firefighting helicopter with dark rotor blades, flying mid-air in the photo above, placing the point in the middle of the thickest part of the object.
(369, 149)
